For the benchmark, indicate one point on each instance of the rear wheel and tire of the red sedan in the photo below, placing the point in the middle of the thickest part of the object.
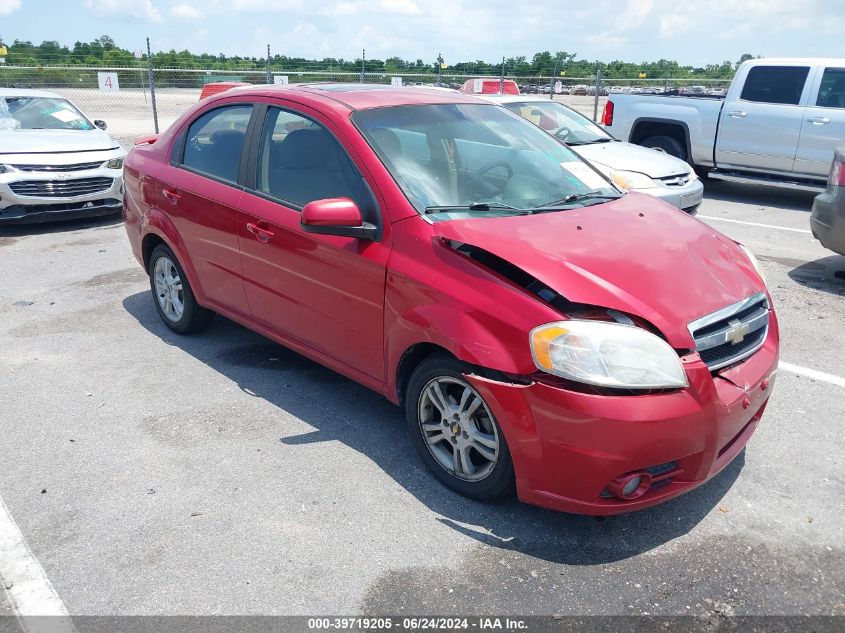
(172, 294)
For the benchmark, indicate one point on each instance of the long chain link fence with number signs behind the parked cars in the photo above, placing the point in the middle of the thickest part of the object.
(123, 97)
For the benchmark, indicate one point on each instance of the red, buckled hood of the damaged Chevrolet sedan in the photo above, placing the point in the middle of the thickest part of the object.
(637, 254)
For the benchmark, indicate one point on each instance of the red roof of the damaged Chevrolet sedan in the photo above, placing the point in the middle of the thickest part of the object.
(354, 96)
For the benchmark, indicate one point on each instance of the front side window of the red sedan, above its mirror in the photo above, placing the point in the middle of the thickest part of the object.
(300, 161)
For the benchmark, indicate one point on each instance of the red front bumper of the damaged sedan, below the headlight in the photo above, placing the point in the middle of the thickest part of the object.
(568, 447)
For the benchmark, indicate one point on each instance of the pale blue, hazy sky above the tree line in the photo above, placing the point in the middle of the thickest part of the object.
(695, 33)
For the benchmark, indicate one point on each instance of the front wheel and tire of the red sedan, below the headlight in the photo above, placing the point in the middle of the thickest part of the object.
(455, 432)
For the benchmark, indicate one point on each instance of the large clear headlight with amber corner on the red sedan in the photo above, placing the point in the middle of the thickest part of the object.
(607, 355)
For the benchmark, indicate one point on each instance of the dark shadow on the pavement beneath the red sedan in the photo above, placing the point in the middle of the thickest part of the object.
(374, 427)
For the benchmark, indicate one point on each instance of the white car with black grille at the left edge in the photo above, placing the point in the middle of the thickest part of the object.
(54, 162)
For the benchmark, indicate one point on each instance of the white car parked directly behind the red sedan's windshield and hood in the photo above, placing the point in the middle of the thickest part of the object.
(628, 166)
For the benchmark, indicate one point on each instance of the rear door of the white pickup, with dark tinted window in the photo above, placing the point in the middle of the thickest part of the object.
(760, 128)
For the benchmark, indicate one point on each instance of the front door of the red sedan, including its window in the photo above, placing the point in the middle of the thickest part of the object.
(322, 291)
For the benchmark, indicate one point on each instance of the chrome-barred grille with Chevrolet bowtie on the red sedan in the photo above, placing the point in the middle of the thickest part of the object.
(729, 335)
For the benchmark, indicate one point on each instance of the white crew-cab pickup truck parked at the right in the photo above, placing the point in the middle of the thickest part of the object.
(778, 124)
